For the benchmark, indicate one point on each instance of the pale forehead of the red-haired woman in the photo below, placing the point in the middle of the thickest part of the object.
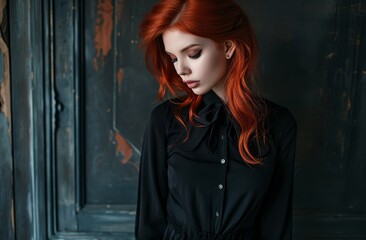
(175, 40)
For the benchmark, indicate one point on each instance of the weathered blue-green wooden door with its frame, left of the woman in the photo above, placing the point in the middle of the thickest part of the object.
(88, 97)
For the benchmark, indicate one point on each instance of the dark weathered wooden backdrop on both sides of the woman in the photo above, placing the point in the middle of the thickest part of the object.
(80, 96)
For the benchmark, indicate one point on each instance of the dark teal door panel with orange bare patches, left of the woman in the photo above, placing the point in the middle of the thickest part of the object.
(102, 102)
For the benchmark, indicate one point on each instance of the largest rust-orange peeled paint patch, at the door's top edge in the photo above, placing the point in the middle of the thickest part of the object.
(103, 32)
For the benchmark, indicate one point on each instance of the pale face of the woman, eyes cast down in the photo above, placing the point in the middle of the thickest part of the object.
(200, 62)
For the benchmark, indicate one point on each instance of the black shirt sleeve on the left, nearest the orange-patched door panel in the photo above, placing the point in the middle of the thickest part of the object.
(152, 188)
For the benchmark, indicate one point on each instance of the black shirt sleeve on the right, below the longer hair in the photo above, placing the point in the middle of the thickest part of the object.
(275, 219)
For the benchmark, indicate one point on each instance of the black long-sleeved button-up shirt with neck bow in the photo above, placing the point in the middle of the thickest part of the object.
(202, 189)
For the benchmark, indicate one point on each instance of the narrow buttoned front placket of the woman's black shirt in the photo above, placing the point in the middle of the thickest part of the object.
(221, 180)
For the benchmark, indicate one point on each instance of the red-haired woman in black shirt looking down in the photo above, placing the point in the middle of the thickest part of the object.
(217, 160)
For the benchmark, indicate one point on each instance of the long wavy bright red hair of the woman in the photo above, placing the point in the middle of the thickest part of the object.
(218, 20)
